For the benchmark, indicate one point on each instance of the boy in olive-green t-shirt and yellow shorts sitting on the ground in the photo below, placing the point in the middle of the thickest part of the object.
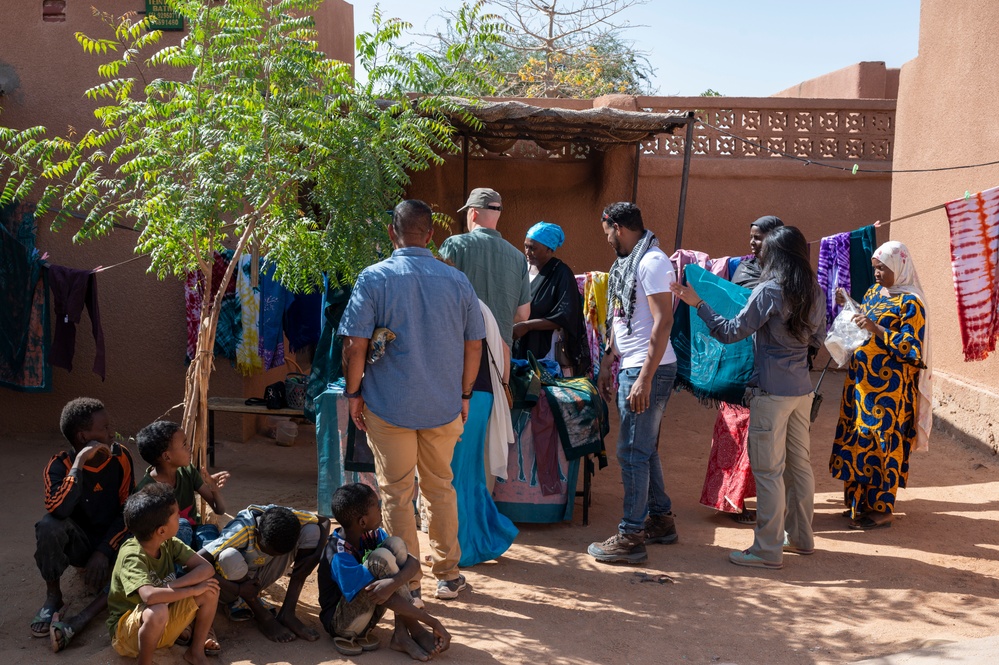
(149, 606)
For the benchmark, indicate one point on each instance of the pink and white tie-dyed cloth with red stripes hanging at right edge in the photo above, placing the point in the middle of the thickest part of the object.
(974, 251)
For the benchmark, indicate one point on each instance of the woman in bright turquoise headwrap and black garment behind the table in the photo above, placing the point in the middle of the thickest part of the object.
(555, 306)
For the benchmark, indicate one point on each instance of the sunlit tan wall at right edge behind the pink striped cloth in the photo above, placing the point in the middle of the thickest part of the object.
(947, 115)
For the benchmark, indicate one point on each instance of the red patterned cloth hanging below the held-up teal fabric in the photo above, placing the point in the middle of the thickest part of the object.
(729, 480)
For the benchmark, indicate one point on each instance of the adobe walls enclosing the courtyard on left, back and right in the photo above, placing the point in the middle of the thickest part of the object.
(843, 118)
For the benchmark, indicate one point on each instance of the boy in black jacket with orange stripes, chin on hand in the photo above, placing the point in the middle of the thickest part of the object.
(85, 490)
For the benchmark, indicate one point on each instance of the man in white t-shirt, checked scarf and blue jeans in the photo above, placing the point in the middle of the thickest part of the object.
(640, 316)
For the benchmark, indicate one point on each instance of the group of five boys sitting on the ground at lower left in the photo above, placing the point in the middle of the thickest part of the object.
(169, 576)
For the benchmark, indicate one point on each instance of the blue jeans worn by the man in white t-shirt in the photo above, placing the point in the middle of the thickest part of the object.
(638, 448)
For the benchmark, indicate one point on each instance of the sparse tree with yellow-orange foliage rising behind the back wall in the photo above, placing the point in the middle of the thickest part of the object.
(551, 48)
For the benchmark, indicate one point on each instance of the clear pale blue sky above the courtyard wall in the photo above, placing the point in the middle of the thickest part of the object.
(740, 48)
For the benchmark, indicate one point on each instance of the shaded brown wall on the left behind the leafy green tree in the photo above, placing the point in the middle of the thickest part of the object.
(143, 318)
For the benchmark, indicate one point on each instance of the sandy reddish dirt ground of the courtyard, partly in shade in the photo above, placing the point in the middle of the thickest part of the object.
(931, 578)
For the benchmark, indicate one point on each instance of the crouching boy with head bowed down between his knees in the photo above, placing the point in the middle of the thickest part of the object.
(254, 551)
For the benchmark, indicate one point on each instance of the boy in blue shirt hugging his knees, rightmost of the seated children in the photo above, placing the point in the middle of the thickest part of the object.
(364, 572)
